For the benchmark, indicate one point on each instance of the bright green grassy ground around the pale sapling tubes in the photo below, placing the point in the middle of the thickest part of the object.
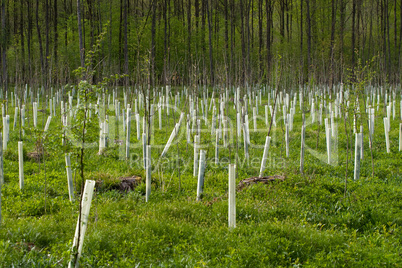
(306, 220)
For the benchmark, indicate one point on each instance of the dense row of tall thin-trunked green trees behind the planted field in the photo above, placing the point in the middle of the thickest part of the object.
(200, 42)
